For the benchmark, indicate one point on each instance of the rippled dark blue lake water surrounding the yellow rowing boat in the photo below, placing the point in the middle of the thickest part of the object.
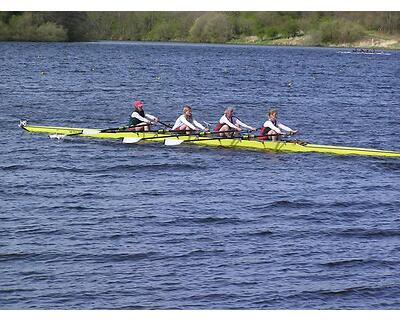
(90, 224)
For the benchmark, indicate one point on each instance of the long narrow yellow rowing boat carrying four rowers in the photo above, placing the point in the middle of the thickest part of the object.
(212, 140)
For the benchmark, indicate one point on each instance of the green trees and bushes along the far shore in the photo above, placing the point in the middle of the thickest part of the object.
(320, 28)
